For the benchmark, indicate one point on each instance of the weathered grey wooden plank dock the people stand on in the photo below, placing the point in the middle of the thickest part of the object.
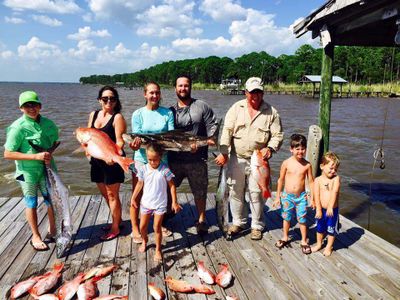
(363, 266)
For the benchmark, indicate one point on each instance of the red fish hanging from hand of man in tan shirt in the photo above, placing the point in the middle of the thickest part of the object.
(261, 173)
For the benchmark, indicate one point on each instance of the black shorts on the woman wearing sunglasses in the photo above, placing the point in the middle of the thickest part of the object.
(100, 172)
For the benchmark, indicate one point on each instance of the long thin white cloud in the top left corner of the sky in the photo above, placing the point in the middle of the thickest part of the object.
(49, 6)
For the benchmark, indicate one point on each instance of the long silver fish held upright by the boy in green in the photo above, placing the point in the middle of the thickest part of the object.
(59, 196)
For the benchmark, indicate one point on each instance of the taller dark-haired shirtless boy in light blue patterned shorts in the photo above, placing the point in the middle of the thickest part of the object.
(292, 178)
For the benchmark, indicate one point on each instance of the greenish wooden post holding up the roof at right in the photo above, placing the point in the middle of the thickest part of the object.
(326, 94)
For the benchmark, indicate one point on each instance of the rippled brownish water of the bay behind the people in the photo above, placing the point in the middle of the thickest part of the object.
(356, 132)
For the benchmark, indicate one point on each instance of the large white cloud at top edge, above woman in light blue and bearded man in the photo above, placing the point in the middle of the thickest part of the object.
(172, 19)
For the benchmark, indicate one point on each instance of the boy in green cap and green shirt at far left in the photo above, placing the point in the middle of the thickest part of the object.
(33, 128)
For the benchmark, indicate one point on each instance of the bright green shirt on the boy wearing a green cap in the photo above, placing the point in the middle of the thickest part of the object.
(43, 133)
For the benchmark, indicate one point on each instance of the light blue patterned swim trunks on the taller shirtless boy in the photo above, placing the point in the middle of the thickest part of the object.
(289, 202)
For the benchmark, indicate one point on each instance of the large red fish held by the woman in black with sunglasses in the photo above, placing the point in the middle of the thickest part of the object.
(99, 145)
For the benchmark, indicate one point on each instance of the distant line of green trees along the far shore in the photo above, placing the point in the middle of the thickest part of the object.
(364, 65)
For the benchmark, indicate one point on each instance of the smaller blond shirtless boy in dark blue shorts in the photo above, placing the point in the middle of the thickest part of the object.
(326, 196)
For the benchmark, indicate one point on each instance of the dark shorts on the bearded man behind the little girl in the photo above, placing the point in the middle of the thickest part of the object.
(197, 175)
